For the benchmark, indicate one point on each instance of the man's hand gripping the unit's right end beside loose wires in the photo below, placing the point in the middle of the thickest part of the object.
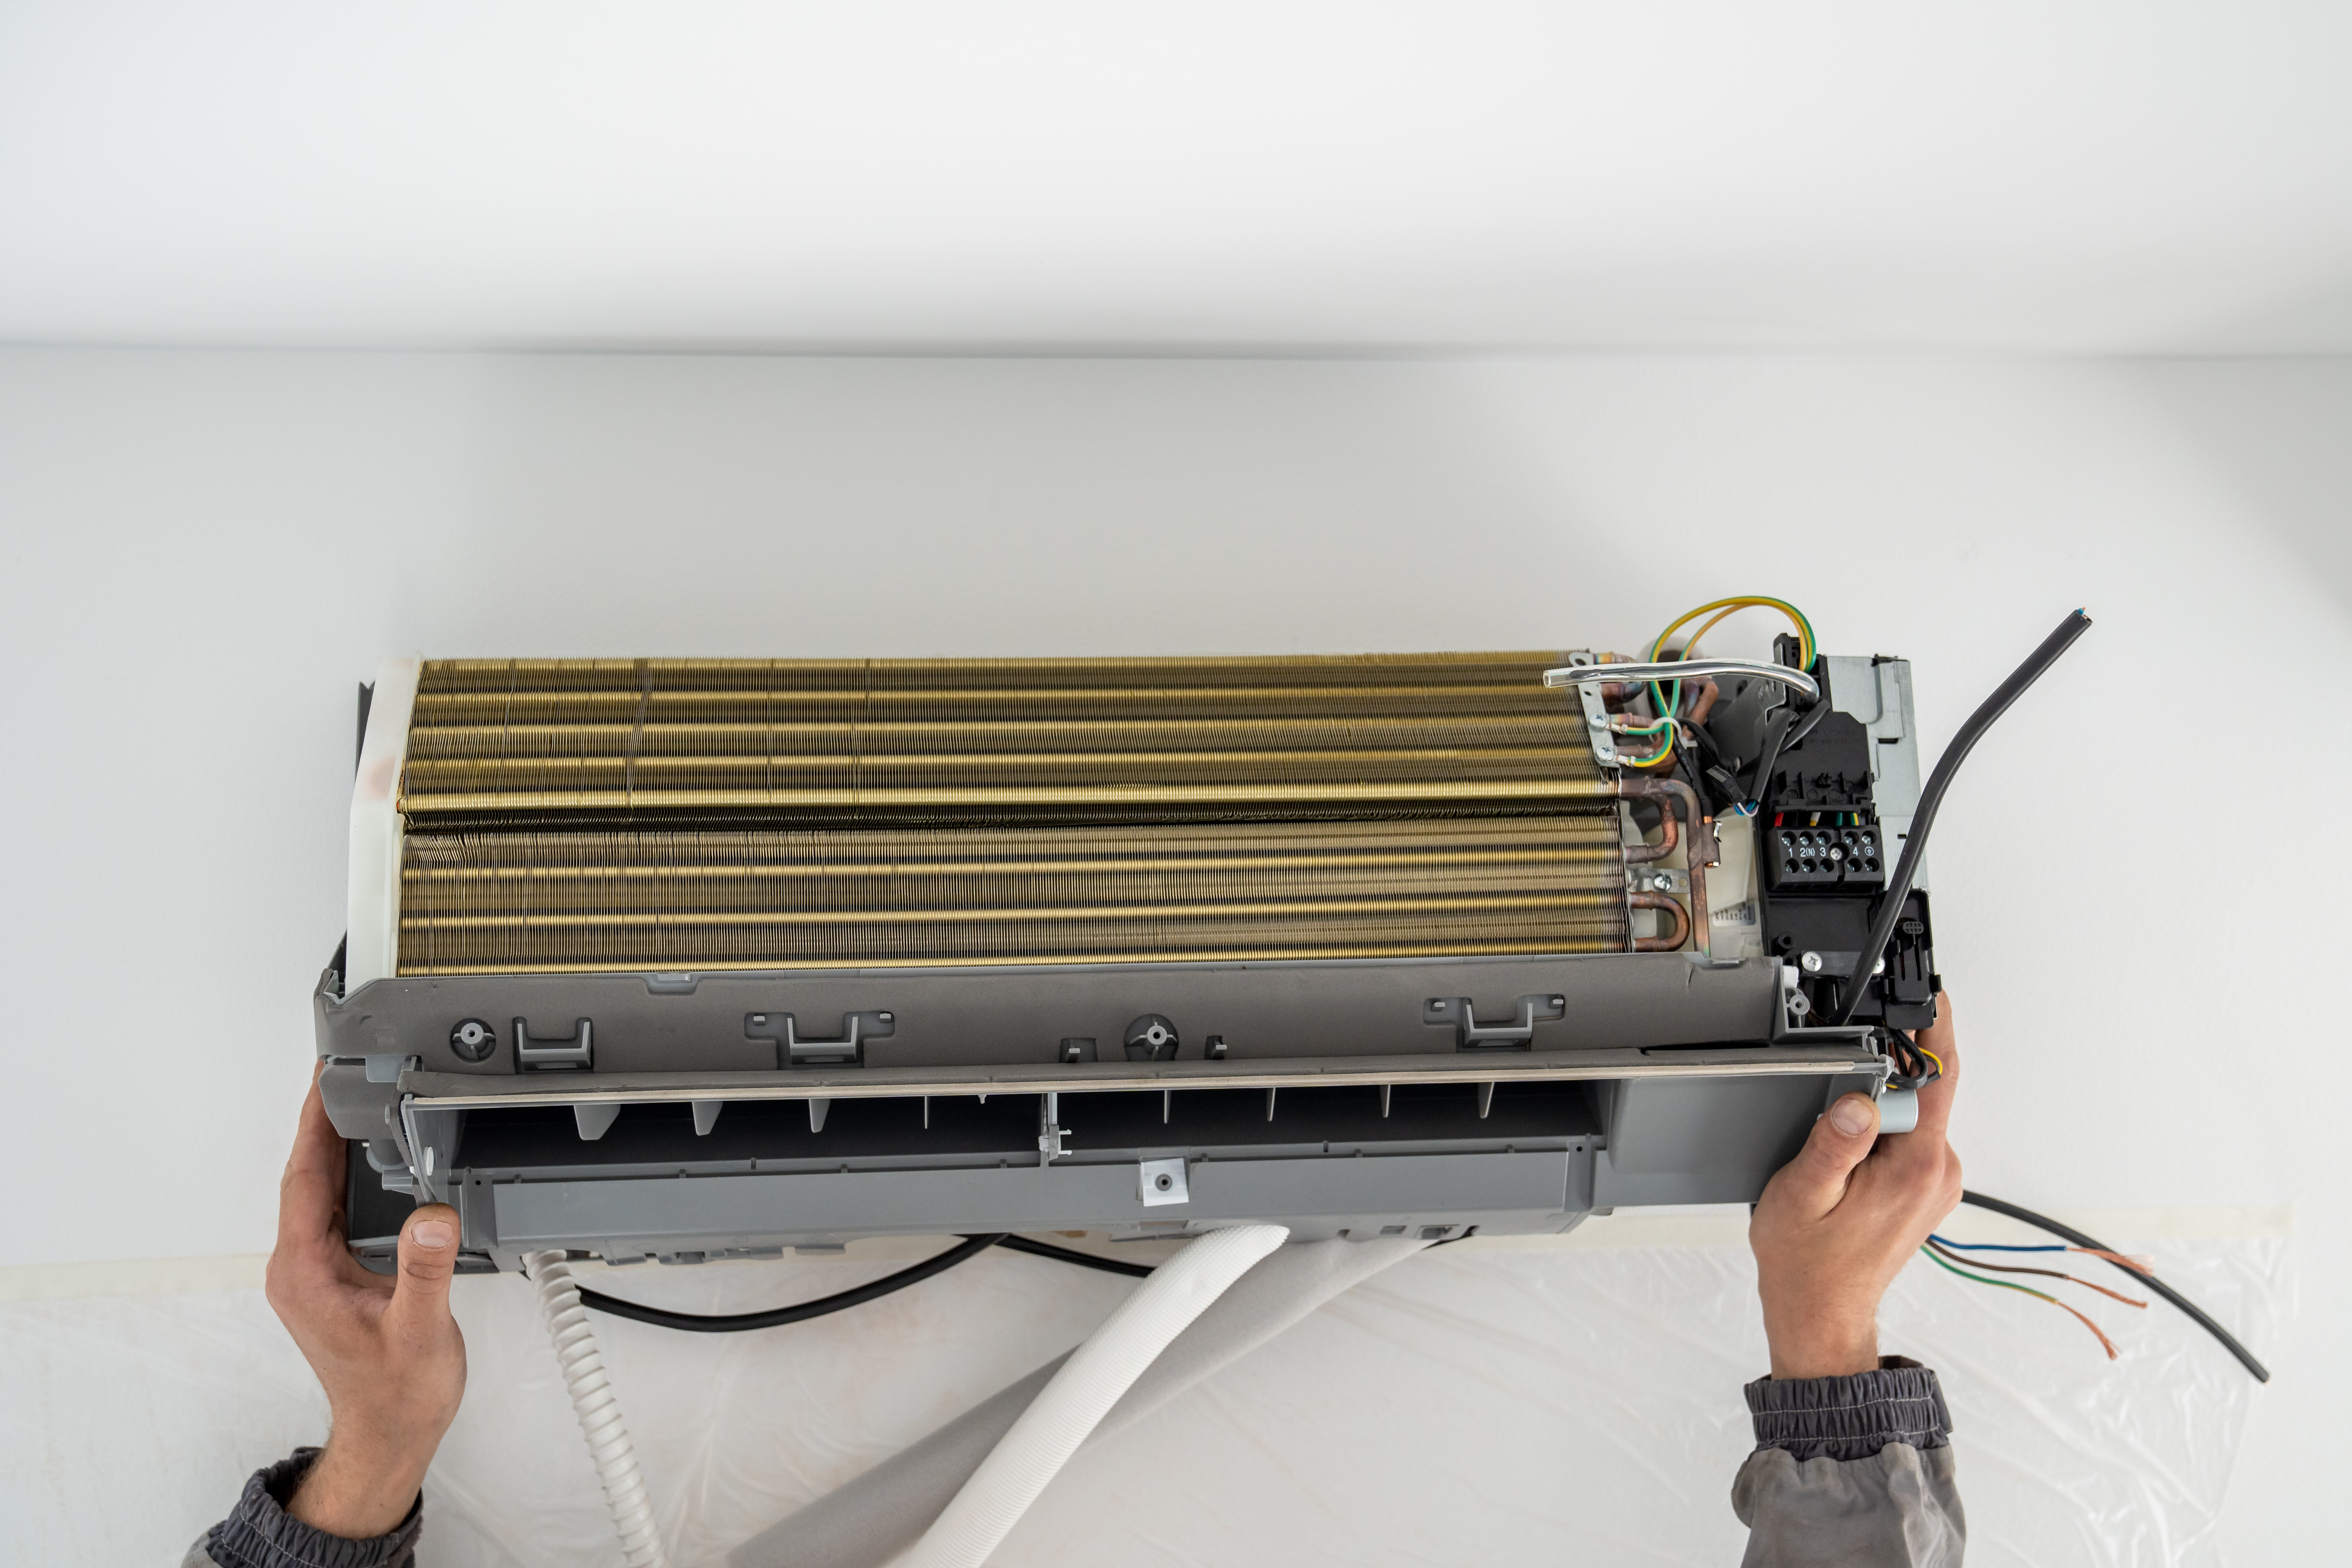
(1843, 1219)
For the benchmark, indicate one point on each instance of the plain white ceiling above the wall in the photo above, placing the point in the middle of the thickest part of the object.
(2116, 175)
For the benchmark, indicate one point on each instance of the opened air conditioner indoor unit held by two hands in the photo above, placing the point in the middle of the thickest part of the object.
(700, 958)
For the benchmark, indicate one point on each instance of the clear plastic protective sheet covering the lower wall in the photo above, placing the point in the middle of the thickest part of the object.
(1570, 1400)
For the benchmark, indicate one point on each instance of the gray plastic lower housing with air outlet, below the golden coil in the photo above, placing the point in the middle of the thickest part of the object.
(1394, 1097)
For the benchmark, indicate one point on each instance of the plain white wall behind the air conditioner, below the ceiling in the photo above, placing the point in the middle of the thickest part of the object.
(2139, 878)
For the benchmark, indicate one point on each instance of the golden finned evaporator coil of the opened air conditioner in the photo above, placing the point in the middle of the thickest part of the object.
(780, 815)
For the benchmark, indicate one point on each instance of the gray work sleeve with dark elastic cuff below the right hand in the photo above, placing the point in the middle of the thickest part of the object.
(1852, 1473)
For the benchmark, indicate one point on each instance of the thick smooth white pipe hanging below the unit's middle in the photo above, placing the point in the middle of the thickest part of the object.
(1083, 1393)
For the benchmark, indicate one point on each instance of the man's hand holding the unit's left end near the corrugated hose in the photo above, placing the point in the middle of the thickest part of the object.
(387, 1351)
